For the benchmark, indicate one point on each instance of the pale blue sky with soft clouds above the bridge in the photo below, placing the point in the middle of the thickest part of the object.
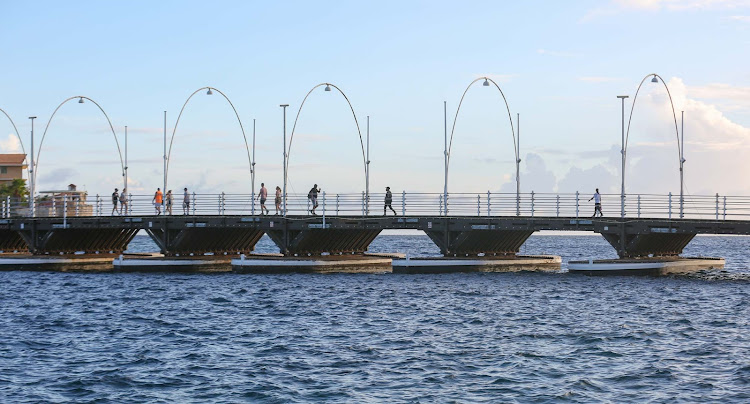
(559, 65)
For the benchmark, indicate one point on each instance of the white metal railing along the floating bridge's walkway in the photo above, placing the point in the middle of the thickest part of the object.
(715, 207)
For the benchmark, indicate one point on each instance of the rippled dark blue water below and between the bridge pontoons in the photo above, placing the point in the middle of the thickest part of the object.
(526, 337)
